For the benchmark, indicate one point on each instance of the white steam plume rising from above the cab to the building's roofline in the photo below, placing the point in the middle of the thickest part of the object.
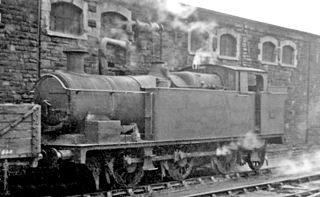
(178, 16)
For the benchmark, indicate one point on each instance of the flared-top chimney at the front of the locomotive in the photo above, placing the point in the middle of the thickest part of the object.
(75, 60)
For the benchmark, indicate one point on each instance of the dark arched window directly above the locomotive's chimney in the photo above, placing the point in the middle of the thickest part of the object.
(66, 18)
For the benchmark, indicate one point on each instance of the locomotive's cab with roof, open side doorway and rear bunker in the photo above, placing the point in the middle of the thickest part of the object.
(268, 100)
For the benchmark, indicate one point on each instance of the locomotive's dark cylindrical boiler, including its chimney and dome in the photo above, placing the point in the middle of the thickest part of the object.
(68, 98)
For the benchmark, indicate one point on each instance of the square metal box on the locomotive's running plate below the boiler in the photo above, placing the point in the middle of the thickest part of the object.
(102, 131)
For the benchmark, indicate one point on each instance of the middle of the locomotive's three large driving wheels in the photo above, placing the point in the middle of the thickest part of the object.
(181, 169)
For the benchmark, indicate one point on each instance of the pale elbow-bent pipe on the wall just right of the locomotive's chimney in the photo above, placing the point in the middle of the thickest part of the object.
(103, 50)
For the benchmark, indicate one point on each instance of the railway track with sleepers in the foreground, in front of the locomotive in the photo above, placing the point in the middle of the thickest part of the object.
(246, 183)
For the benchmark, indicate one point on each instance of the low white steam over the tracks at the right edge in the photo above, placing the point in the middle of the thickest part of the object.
(298, 165)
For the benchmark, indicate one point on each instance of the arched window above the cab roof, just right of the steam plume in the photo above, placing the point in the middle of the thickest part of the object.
(228, 45)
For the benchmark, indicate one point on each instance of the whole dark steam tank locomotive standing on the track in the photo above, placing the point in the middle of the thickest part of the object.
(100, 130)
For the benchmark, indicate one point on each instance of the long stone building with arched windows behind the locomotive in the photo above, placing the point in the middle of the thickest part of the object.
(124, 37)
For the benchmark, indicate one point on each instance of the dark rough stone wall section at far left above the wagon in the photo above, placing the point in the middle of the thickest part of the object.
(18, 50)
